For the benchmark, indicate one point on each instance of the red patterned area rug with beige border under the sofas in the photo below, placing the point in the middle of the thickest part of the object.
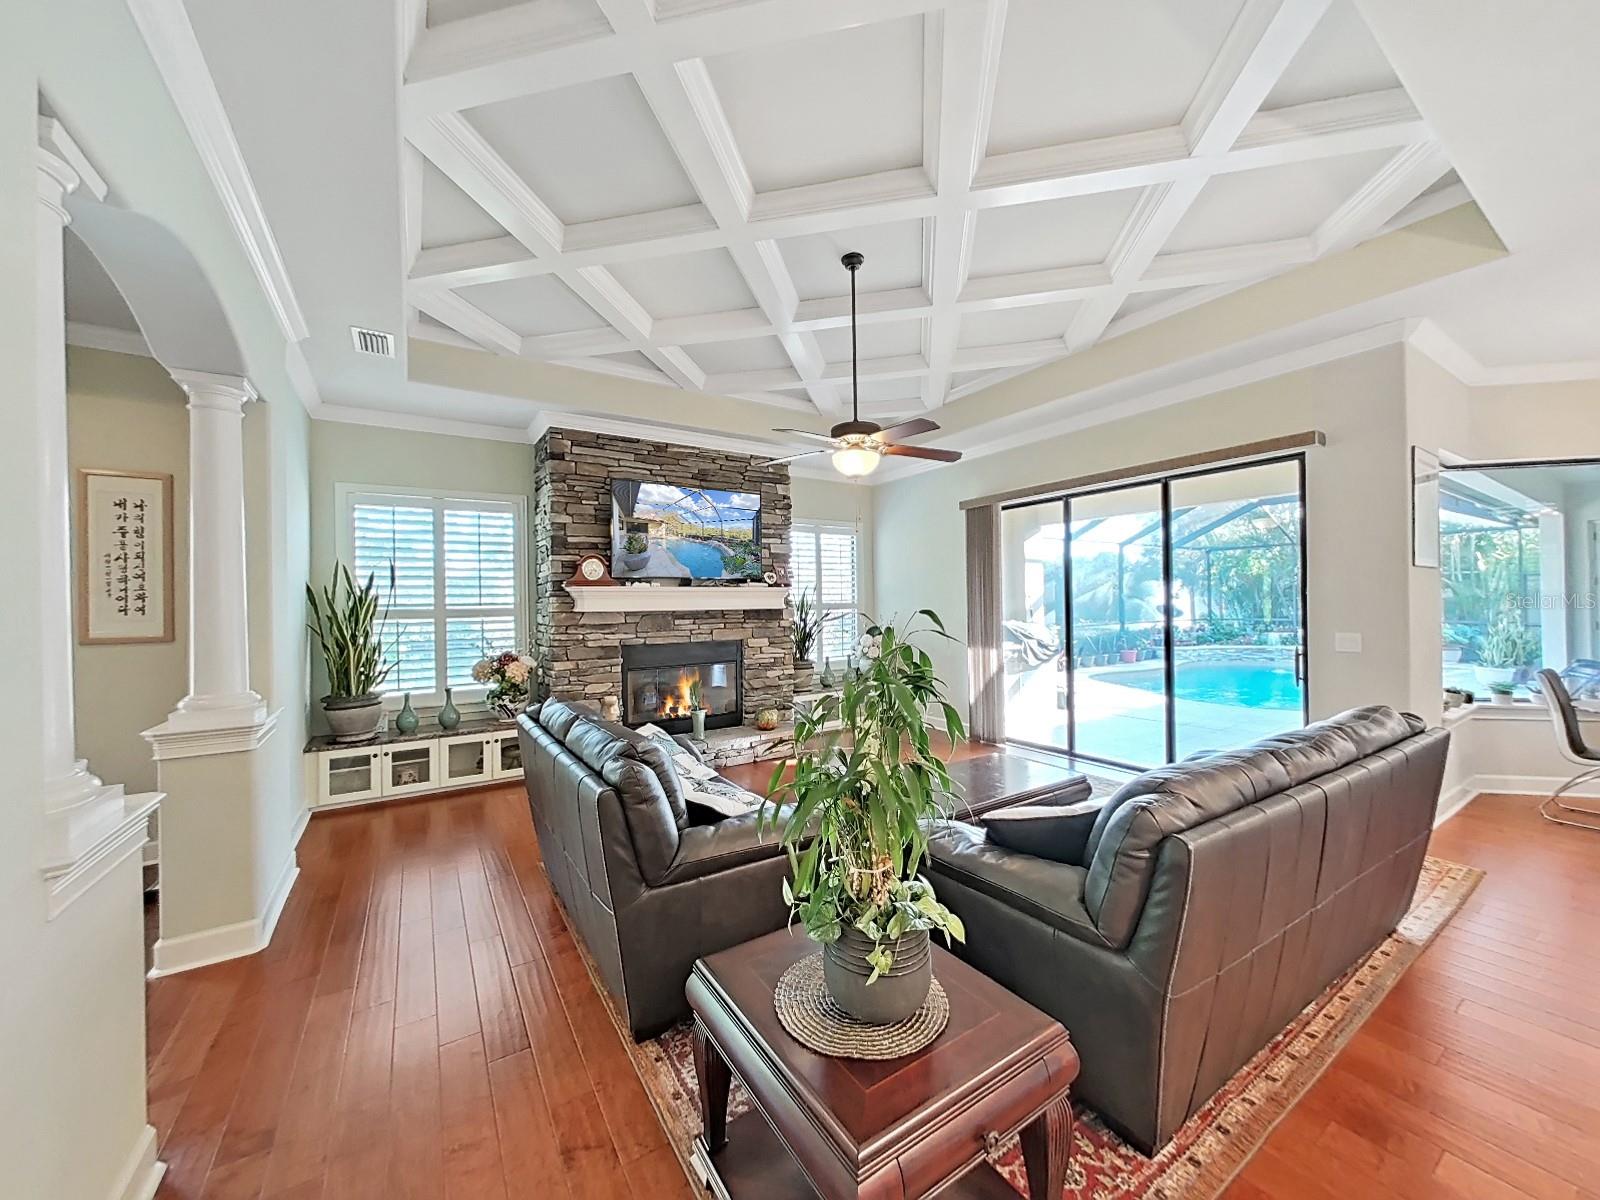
(1215, 1143)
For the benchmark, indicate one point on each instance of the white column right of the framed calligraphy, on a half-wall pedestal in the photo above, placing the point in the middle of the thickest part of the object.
(220, 697)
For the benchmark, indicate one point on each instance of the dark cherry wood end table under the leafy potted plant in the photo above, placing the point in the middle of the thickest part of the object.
(846, 1129)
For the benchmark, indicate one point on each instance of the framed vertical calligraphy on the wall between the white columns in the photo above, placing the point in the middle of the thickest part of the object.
(126, 558)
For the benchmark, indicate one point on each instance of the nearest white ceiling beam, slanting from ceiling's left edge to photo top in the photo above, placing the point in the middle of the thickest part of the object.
(521, 50)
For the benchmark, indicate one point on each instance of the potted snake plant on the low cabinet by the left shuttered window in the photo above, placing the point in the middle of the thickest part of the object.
(345, 620)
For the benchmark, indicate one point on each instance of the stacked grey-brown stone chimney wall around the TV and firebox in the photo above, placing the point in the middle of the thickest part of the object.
(585, 652)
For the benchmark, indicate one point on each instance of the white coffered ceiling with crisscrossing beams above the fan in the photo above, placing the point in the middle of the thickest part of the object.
(662, 190)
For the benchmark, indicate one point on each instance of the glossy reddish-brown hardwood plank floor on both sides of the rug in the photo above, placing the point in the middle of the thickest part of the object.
(423, 1026)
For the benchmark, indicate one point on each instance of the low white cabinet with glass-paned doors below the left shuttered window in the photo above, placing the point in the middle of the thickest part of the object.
(412, 767)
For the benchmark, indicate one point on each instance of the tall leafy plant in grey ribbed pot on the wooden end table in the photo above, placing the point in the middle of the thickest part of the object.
(855, 822)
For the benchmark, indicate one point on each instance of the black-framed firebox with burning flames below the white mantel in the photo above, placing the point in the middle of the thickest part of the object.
(658, 679)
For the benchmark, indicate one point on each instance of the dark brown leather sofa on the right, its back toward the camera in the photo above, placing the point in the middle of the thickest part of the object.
(1214, 902)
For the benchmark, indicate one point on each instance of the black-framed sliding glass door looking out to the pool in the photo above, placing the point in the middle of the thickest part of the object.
(1151, 622)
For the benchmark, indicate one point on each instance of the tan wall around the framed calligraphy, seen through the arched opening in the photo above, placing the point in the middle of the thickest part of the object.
(127, 414)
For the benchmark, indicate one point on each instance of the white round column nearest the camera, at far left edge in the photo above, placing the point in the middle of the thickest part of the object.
(81, 807)
